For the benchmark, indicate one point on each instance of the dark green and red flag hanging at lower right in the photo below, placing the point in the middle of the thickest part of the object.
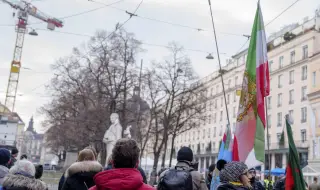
(294, 175)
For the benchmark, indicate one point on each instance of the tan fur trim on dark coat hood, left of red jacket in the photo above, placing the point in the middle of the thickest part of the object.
(82, 167)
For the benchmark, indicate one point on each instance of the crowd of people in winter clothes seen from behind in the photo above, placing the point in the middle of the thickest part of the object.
(123, 173)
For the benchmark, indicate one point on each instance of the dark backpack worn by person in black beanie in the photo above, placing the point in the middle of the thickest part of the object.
(175, 179)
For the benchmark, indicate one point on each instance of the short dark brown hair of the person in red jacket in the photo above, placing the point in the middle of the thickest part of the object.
(125, 154)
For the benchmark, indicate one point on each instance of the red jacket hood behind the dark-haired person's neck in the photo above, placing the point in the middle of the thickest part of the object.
(124, 179)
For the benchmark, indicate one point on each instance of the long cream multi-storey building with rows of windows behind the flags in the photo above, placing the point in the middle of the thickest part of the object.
(293, 57)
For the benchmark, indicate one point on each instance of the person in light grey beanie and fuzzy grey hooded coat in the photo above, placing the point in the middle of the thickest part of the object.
(21, 177)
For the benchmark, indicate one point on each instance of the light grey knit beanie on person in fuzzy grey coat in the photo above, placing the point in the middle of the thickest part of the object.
(23, 167)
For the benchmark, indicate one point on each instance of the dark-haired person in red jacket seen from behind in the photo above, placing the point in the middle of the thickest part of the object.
(124, 174)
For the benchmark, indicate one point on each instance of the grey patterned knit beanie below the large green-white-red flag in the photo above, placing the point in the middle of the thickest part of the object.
(232, 171)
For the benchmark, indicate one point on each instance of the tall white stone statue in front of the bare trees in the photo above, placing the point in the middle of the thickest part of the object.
(113, 134)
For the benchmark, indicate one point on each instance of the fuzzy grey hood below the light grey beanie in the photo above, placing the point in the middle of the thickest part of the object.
(19, 181)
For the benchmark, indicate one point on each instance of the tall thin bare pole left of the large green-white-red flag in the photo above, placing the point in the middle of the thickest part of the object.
(218, 55)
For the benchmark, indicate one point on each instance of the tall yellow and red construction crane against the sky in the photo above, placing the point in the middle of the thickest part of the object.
(24, 10)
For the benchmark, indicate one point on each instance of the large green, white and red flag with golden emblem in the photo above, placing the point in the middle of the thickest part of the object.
(248, 143)
